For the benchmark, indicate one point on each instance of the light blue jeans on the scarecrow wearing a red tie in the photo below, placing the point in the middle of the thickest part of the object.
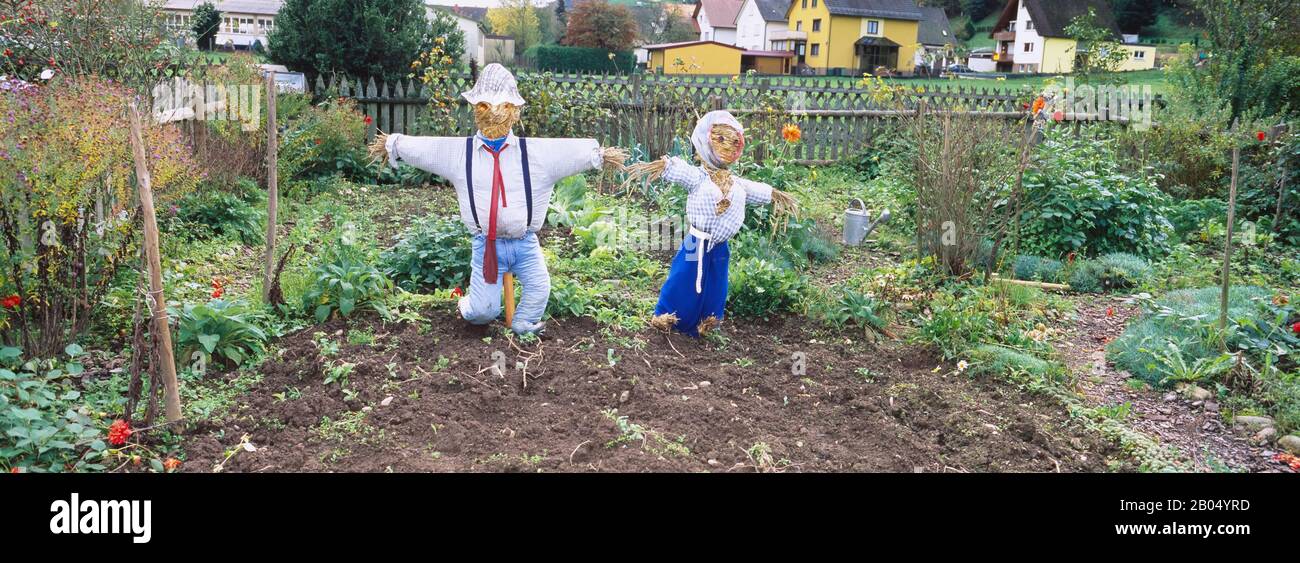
(523, 258)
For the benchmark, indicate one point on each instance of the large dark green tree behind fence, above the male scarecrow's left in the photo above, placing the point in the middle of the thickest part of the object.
(361, 38)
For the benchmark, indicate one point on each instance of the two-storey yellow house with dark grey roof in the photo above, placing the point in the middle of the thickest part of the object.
(855, 37)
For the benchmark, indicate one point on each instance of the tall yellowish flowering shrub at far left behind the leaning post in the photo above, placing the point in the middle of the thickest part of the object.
(67, 216)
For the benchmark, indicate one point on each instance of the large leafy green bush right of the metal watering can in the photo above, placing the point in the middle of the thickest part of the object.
(1086, 203)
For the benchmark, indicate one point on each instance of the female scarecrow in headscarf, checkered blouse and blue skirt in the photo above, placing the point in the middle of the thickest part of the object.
(694, 298)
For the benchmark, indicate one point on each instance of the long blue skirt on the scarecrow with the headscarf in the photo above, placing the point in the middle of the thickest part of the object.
(679, 297)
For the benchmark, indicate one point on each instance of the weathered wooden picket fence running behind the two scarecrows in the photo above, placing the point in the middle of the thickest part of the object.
(838, 119)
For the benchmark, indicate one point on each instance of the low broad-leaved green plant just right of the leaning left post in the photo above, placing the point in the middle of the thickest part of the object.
(224, 330)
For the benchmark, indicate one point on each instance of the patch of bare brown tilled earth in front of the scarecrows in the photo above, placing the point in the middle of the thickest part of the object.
(769, 397)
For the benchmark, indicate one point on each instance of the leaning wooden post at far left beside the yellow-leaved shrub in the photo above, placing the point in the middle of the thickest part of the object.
(162, 332)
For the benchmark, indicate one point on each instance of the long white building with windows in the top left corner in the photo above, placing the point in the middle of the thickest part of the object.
(244, 23)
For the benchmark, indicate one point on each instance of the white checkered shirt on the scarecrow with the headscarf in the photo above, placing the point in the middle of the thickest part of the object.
(703, 197)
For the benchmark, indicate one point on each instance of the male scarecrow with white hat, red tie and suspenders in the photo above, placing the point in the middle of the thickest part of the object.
(504, 185)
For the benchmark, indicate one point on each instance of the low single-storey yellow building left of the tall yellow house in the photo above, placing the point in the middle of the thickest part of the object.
(713, 58)
